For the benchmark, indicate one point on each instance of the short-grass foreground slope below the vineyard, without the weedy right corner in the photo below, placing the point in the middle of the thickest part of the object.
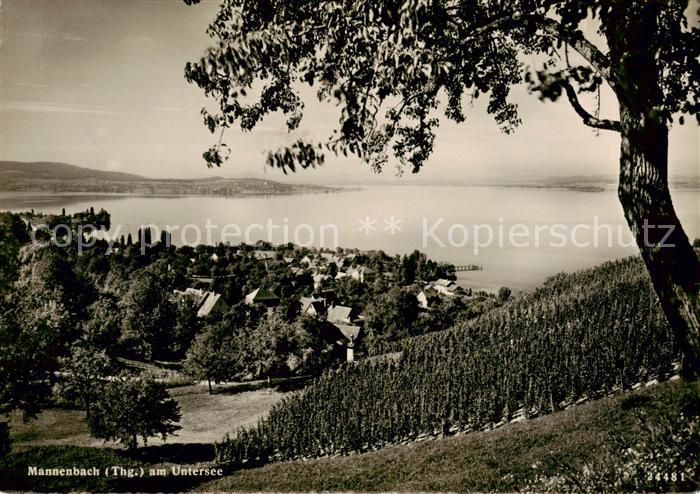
(506, 459)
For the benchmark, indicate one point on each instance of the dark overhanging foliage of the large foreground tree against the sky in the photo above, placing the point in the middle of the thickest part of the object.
(374, 58)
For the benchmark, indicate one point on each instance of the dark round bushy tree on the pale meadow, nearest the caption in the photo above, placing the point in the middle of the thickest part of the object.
(128, 408)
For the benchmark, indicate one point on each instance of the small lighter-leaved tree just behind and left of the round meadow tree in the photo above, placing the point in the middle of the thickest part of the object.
(82, 374)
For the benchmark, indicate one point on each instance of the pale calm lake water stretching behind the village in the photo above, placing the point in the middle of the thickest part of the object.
(534, 232)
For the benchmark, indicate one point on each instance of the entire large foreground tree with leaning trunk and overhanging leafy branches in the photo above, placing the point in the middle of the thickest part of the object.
(386, 62)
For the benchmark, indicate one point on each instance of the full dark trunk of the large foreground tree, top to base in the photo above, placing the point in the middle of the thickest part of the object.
(633, 35)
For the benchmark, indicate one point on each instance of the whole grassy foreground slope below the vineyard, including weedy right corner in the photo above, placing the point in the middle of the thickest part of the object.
(547, 453)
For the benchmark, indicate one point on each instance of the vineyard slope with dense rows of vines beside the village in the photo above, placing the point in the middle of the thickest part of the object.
(578, 337)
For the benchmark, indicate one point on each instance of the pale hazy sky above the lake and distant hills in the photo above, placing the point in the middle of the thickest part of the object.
(100, 84)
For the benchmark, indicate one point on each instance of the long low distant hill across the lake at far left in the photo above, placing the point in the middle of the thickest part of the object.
(46, 176)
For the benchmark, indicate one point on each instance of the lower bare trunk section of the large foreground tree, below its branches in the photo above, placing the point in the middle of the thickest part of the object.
(665, 248)
